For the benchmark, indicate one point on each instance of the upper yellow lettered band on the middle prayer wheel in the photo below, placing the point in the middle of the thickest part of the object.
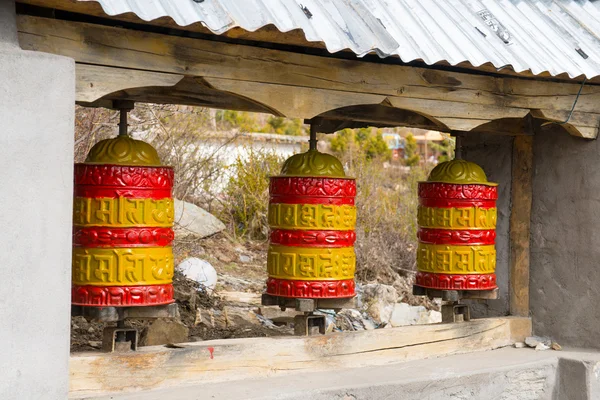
(312, 216)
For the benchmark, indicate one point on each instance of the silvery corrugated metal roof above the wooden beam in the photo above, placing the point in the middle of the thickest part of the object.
(557, 36)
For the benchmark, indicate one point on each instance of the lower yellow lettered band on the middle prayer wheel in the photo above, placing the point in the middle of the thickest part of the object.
(311, 264)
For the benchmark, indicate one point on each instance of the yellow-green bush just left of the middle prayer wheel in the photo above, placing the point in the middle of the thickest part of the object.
(246, 195)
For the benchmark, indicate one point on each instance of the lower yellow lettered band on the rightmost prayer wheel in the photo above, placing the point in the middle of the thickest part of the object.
(443, 259)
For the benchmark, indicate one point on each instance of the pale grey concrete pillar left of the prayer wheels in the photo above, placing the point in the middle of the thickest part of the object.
(37, 94)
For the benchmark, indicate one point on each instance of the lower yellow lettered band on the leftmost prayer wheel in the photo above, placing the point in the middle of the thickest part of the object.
(122, 266)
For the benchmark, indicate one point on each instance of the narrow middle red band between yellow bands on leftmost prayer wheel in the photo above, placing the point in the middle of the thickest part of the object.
(122, 237)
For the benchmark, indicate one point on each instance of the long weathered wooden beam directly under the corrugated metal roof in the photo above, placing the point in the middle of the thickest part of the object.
(456, 100)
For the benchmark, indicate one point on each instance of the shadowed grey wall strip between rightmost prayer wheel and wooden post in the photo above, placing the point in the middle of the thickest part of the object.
(494, 154)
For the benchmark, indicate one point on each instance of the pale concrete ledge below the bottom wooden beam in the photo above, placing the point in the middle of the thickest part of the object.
(507, 374)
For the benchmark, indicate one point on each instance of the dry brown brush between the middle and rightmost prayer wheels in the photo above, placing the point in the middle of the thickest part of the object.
(386, 217)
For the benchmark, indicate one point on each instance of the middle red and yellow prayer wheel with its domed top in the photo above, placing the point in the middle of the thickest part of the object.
(312, 218)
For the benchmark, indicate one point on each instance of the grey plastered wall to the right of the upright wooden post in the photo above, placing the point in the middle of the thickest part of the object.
(565, 239)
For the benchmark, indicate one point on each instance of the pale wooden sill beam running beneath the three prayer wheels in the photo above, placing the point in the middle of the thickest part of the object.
(232, 359)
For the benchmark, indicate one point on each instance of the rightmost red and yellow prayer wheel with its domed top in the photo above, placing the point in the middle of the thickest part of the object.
(457, 228)
